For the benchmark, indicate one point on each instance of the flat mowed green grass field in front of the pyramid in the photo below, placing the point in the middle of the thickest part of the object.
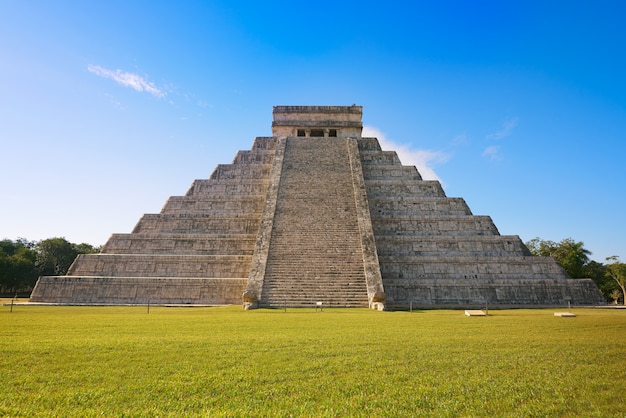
(222, 361)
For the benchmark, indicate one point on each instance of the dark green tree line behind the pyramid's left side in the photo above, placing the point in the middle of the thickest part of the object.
(23, 261)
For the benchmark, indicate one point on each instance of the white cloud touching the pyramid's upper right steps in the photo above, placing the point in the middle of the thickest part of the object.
(422, 159)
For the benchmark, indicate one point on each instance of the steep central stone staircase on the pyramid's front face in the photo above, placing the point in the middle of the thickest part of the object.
(315, 252)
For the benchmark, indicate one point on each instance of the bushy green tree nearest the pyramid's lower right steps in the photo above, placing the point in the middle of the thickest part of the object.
(570, 255)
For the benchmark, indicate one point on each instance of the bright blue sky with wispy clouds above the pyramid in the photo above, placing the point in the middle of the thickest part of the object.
(108, 108)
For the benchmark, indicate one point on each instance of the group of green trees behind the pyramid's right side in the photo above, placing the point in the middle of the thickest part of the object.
(573, 257)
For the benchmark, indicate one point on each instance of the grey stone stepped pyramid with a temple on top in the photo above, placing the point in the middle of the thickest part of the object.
(316, 213)
